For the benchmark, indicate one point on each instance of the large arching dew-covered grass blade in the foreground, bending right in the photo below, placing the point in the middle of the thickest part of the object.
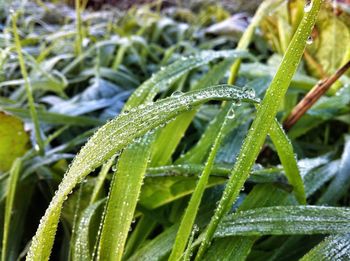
(112, 137)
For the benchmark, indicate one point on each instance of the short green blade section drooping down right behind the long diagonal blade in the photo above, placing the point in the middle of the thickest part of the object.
(285, 153)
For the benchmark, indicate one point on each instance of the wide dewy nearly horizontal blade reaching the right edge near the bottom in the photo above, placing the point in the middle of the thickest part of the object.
(291, 220)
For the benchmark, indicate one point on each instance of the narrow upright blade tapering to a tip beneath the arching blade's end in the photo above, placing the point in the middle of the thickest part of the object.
(189, 217)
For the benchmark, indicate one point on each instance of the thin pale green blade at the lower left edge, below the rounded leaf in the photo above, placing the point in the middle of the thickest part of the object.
(11, 191)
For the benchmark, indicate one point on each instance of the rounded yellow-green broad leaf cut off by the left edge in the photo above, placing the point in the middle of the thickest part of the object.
(13, 139)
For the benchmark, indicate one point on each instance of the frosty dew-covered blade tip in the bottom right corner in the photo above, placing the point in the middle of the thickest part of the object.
(335, 247)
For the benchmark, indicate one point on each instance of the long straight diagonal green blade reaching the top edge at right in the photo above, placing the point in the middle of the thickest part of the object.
(263, 121)
